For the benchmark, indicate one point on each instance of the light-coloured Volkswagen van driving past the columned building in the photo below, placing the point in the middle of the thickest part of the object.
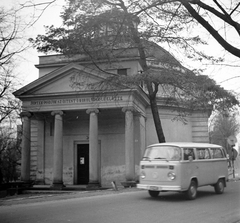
(183, 167)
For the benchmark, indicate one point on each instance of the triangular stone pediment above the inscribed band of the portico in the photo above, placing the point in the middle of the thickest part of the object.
(70, 78)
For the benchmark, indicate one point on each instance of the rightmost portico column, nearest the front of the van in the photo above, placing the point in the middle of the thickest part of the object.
(129, 146)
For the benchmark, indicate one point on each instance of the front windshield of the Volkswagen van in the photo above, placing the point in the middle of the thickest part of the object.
(162, 153)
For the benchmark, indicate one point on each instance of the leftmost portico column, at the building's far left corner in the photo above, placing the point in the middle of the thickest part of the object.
(26, 147)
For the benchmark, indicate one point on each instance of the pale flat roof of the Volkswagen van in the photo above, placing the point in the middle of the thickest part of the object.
(186, 144)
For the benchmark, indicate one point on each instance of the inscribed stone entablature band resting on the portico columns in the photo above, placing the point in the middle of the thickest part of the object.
(82, 102)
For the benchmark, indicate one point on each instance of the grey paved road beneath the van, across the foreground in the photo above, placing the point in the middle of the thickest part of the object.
(129, 206)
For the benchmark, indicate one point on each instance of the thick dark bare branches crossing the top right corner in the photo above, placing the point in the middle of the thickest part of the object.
(204, 13)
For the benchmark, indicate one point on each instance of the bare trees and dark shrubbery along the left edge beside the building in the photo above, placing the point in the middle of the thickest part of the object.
(12, 44)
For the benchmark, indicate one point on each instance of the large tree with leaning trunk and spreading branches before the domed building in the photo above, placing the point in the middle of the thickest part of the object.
(91, 26)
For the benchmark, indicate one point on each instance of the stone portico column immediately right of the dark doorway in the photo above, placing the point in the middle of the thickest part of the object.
(93, 148)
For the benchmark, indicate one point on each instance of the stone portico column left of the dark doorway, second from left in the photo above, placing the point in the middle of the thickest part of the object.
(58, 151)
